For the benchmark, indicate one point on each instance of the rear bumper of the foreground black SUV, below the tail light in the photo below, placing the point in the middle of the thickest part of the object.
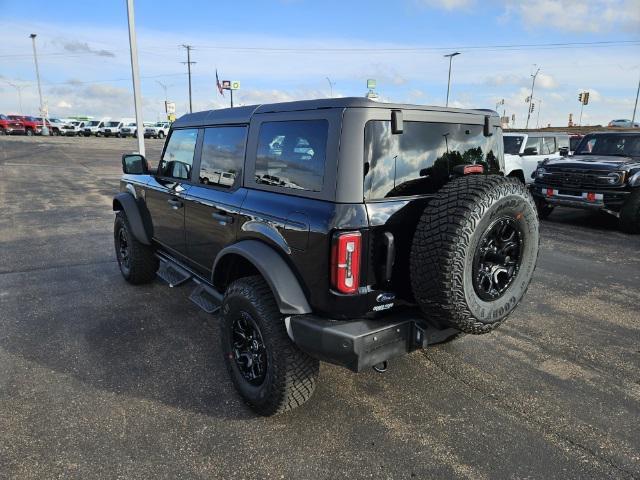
(359, 344)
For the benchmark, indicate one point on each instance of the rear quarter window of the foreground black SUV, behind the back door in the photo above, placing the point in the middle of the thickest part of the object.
(292, 154)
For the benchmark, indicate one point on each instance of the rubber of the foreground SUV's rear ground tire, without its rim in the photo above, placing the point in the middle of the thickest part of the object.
(291, 374)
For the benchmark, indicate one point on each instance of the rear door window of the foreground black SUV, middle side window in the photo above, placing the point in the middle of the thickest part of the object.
(222, 156)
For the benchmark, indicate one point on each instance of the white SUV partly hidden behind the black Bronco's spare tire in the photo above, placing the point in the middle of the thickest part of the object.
(523, 152)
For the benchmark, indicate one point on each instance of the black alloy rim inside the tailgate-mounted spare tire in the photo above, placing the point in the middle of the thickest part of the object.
(497, 258)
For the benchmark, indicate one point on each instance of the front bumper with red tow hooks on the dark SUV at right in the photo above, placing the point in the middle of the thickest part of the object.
(585, 198)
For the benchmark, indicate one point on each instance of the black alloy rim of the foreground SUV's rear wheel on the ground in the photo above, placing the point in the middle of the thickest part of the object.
(249, 351)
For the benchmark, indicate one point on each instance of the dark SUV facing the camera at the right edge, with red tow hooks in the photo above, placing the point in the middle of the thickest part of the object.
(603, 174)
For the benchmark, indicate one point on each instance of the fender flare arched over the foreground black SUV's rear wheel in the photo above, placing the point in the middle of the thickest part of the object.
(285, 286)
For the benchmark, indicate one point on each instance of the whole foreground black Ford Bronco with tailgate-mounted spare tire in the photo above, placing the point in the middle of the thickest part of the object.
(342, 230)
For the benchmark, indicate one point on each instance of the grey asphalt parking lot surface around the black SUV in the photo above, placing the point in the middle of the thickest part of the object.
(99, 379)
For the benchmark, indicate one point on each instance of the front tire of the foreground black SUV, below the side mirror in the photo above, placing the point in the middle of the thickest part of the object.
(142, 264)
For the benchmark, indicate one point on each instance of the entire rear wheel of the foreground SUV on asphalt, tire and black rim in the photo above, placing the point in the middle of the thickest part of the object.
(269, 371)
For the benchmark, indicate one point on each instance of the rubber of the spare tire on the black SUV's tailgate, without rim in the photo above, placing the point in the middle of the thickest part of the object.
(445, 244)
